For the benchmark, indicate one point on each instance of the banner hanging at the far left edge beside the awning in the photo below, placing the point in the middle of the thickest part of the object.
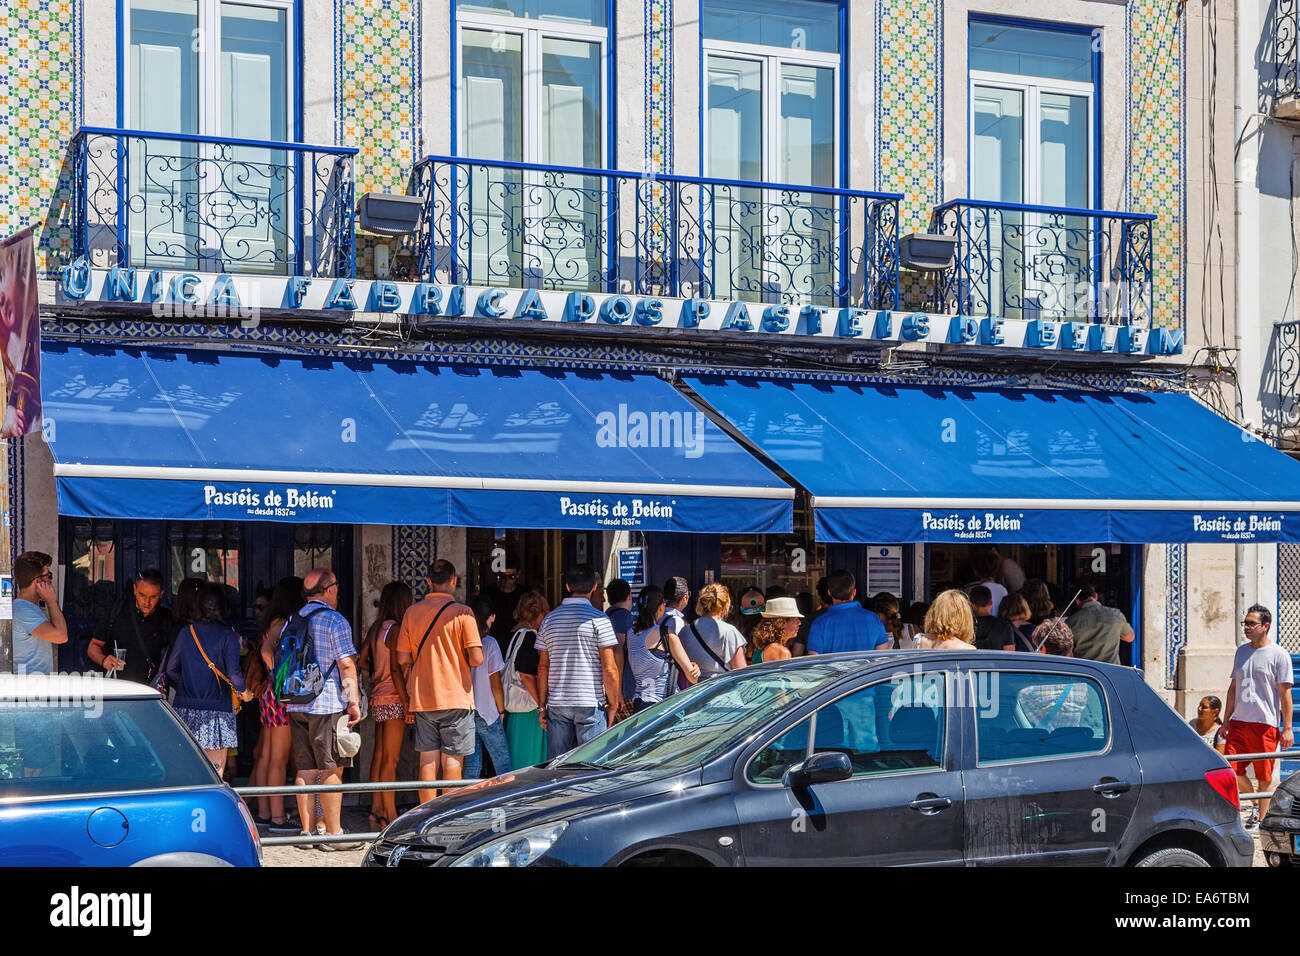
(20, 336)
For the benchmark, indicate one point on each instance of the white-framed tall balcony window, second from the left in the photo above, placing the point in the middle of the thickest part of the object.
(532, 90)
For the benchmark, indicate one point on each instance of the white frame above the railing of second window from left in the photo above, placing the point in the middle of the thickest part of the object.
(532, 33)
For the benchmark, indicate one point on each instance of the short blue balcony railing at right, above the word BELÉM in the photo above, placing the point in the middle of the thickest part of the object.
(1032, 262)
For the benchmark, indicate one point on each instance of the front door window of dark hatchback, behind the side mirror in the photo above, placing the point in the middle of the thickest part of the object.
(887, 728)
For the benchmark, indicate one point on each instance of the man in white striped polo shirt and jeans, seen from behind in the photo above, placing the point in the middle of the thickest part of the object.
(578, 677)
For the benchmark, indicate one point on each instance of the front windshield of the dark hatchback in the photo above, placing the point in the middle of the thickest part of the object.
(692, 726)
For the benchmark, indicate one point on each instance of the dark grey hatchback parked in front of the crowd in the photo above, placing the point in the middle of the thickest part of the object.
(890, 758)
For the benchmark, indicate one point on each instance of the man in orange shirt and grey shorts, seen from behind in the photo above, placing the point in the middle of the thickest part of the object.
(437, 647)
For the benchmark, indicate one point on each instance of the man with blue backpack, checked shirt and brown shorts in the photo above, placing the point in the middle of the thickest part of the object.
(317, 680)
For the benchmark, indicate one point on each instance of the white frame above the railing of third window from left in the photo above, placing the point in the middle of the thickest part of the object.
(772, 60)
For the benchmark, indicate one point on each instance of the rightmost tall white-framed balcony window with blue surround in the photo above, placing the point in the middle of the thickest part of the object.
(1033, 118)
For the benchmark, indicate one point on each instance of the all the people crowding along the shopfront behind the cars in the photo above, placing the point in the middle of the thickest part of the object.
(508, 681)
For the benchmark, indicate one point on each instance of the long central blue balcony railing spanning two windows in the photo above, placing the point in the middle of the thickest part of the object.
(565, 228)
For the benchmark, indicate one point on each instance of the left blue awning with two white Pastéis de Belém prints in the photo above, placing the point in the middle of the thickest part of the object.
(206, 435)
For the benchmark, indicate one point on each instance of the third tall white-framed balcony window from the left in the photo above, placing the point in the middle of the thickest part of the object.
(772, 115)
